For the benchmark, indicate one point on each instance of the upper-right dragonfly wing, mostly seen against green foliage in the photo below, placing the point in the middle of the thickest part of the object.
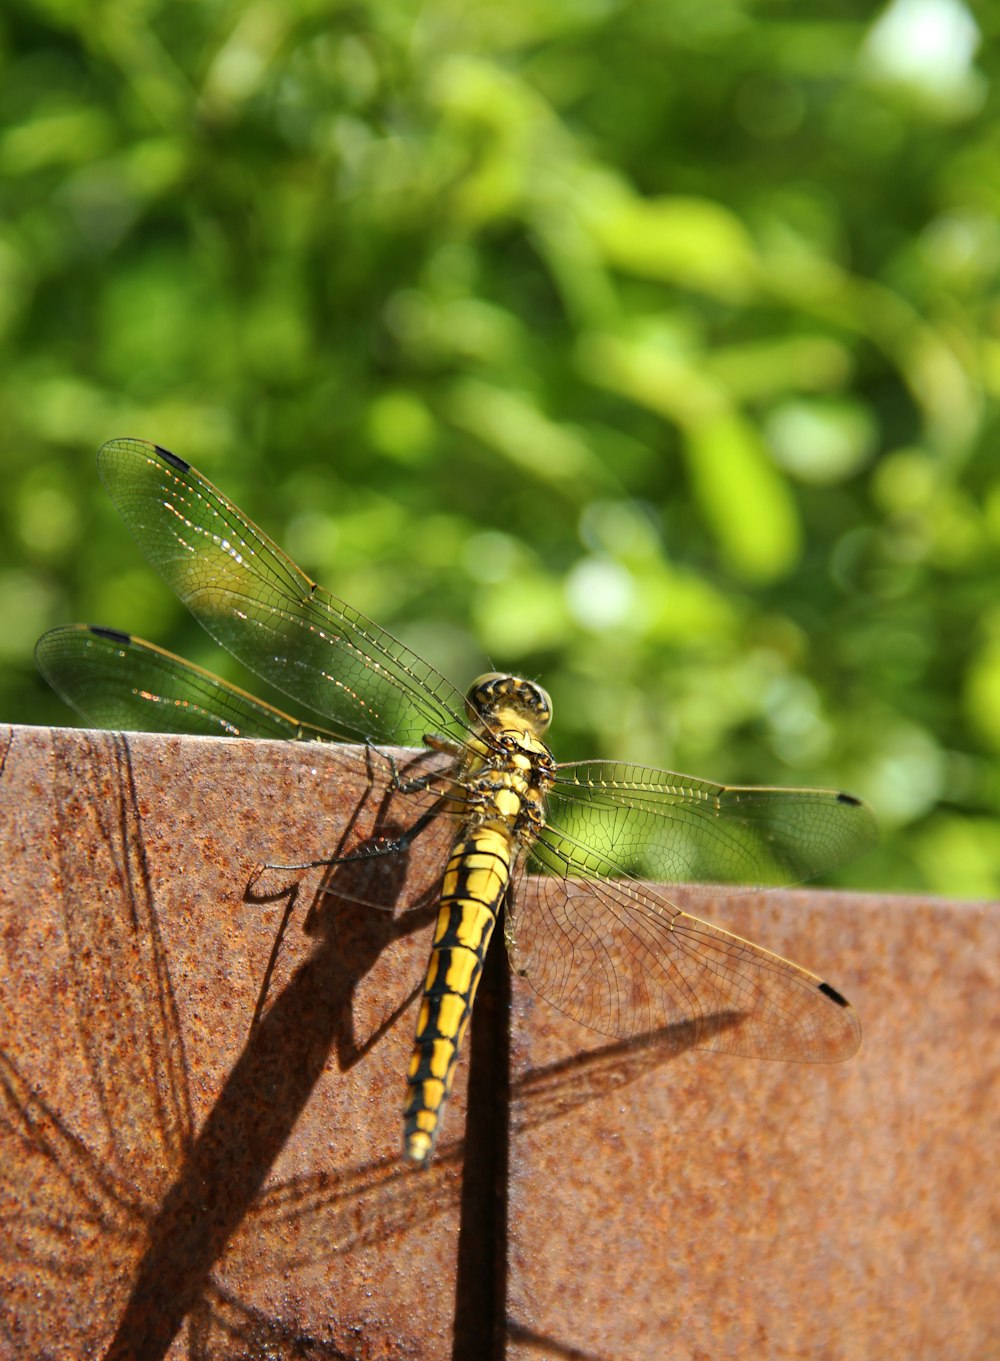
(613, 819)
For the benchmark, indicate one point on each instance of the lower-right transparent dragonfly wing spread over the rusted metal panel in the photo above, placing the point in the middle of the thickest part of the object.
(621, 959)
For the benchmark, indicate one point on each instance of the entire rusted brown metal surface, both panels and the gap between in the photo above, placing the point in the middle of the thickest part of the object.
(175, 1182)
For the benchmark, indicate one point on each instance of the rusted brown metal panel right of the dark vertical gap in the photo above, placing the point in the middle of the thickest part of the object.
(700, 1207)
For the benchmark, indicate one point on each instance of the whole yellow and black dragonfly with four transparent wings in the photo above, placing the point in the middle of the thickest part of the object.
(621, 959)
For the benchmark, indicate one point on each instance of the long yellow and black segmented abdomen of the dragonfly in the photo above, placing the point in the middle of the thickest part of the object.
(473, 892)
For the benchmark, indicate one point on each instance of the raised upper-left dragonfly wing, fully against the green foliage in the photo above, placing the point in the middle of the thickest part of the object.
(267, 612)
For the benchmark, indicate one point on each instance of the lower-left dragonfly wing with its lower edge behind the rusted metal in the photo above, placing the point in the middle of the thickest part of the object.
(116, 681)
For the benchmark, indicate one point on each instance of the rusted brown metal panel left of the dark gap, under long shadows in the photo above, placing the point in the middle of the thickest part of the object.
(171, 1183)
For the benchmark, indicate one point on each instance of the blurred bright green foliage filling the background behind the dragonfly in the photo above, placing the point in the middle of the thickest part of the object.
(650, 349)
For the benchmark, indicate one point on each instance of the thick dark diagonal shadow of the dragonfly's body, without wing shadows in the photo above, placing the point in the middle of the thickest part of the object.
(286, 1054)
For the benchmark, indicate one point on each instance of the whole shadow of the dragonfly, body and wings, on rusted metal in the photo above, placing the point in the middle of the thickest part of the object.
(145, 1220)
